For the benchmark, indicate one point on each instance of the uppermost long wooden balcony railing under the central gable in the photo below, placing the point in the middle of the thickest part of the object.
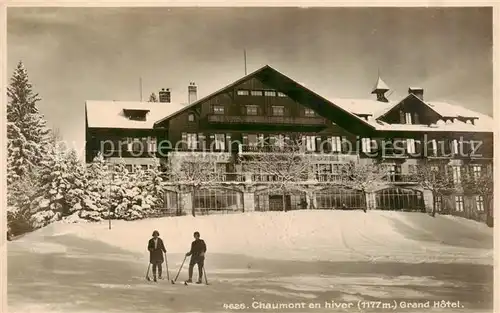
(270, 120)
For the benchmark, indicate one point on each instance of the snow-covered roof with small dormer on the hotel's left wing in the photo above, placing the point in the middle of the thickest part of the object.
(110, 114)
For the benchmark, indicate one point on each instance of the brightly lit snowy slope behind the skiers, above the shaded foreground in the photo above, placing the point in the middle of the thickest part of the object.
(302, 235)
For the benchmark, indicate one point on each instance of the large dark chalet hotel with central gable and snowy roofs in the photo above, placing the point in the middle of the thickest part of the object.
(266, 105)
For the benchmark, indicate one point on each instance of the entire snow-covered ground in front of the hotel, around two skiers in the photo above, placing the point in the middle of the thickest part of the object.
(275, 257)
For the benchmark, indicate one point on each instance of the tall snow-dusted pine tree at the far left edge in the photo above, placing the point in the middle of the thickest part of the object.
(26, 128)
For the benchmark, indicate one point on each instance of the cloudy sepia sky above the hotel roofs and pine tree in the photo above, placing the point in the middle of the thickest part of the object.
(78, 54)
